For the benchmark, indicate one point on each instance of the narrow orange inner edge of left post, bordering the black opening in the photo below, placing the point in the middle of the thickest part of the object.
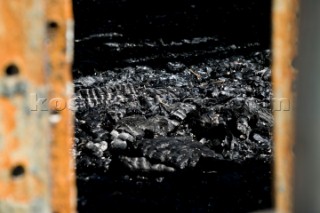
(60, 46)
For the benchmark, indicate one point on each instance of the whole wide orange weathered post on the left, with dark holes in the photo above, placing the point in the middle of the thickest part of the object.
(36, 167)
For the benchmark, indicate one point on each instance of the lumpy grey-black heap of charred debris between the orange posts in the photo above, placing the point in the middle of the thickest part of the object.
(179, 116)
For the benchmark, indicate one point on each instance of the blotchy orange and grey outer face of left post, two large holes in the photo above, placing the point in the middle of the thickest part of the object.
(24, 130)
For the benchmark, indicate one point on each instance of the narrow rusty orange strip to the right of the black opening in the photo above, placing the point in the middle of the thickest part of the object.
(284, 38)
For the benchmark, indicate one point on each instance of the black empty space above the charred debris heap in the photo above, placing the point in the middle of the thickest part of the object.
(117, 33)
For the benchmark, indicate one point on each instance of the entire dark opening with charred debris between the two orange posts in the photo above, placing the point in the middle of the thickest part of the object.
(173, 105)
